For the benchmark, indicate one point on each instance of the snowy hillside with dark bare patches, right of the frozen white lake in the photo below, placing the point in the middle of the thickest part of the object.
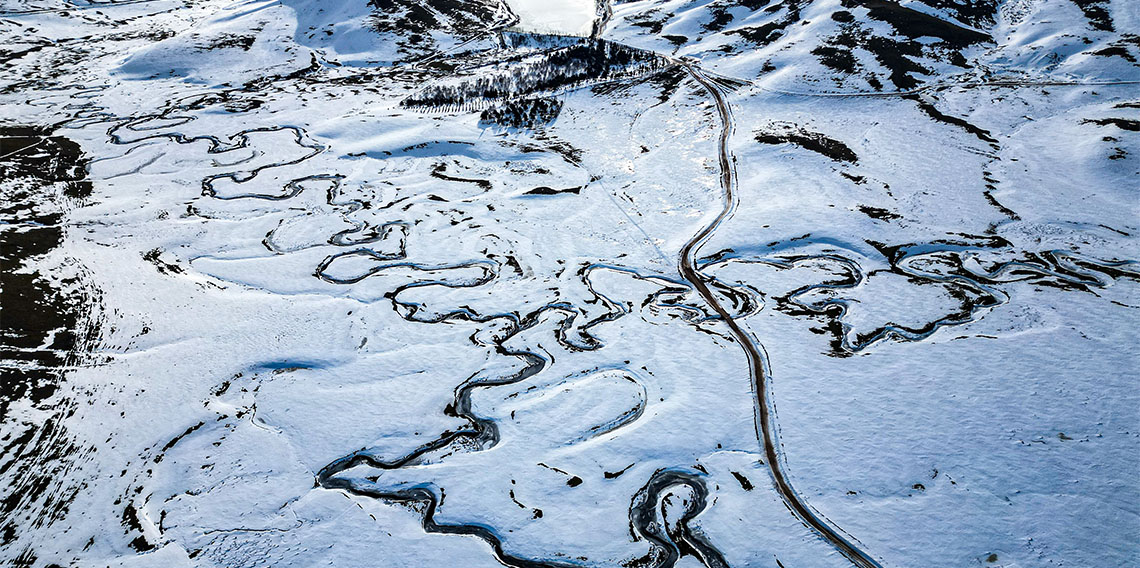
(875, 46)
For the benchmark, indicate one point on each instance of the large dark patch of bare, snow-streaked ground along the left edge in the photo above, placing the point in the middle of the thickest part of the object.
(45, 326)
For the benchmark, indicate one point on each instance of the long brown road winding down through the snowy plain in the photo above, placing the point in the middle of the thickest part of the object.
(766, 428)
